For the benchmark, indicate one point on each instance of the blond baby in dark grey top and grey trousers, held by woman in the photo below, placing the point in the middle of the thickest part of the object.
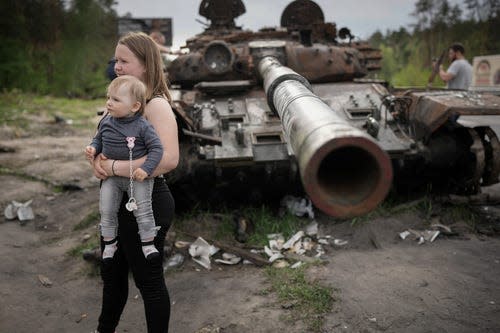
(123, 134)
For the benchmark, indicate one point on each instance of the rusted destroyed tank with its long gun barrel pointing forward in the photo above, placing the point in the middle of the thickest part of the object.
(289, 110)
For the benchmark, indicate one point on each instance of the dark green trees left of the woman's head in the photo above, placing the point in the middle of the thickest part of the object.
(57, 48)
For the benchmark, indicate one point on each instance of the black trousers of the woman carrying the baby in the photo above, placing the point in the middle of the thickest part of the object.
(148, 275)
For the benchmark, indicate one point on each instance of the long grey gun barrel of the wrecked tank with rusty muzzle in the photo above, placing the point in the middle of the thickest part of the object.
(343, 170)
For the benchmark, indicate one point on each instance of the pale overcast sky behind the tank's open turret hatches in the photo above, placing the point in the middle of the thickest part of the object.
(362, 17)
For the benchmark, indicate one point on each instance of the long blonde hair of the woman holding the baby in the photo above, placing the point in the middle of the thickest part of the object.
(146, 50)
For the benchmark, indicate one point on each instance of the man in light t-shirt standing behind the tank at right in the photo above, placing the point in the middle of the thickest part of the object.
(459, 74)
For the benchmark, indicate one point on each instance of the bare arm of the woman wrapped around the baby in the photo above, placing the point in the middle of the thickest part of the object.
(159, 113)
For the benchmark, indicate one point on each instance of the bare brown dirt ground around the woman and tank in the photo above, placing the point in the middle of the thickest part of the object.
(382, 283)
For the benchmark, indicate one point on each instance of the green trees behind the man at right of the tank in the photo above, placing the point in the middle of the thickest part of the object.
(407, 56)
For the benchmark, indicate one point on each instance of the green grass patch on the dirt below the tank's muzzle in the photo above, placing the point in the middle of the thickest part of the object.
(308, 301)
